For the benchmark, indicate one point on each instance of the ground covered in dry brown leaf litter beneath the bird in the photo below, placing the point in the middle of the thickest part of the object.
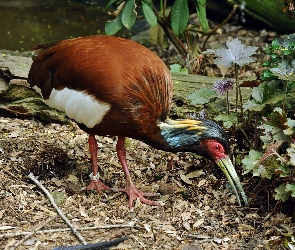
(199, 211)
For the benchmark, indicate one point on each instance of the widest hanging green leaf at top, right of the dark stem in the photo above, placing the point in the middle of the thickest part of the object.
(179, 16)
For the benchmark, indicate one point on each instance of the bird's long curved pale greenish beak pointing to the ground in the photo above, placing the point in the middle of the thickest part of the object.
(228, 169)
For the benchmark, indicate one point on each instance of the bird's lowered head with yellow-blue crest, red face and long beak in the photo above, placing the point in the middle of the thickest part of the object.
(205, 138)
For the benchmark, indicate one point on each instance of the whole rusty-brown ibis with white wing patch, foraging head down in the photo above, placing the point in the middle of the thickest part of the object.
(116, 87)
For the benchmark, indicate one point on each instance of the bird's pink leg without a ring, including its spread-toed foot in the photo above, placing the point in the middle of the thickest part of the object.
(130, 189)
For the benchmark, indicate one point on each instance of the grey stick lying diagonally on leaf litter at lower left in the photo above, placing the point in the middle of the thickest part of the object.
(76, 233)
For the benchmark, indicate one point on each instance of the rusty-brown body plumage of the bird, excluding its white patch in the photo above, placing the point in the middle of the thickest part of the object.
(126, 75)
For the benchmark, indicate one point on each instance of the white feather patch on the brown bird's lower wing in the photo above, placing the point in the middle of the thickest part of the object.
(77, 105)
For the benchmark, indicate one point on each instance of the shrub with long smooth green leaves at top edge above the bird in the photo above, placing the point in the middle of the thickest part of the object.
(173, 22)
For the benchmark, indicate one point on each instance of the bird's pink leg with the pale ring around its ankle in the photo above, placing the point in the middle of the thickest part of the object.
(95, 182)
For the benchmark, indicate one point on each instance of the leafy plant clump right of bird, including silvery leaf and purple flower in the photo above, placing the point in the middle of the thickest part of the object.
(270, 103)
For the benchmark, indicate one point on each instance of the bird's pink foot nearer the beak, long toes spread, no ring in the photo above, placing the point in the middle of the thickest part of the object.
(133, 193)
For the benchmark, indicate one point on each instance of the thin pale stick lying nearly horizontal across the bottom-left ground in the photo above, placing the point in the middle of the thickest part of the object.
(11, 235)
